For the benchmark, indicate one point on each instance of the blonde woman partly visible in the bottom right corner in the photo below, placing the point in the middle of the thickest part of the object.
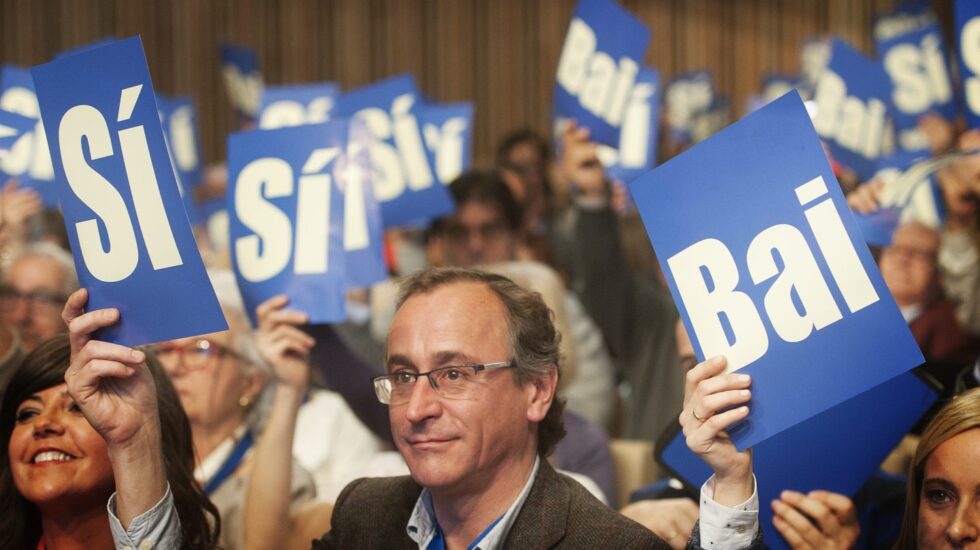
(943, 500)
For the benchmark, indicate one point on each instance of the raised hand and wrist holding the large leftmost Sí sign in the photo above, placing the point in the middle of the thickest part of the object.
(110, 382)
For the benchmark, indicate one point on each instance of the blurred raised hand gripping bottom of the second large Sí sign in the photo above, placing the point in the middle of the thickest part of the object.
(281, 344)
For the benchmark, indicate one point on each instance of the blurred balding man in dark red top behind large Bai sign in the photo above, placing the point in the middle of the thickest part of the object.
(908, 266)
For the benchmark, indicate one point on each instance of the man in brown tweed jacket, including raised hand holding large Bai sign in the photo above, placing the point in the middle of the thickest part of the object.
(473, 366)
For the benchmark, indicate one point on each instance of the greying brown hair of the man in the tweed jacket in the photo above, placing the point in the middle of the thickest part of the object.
(535, 344)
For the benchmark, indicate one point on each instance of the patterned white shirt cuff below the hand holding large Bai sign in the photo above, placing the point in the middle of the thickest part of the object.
(725, 528)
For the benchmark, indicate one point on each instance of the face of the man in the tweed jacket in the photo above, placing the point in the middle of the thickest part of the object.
(461, 446)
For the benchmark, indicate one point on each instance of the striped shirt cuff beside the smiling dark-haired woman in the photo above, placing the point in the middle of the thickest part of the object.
(158, 527)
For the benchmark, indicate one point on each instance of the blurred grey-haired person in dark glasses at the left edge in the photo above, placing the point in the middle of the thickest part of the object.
(32, 293)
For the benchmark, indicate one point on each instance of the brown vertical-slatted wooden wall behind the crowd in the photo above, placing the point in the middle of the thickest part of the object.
(501, 54)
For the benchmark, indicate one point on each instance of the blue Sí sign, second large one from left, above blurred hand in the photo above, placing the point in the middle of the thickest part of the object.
(286, 213)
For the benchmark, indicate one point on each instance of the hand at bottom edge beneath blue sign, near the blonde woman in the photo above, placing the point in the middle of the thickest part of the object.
(819, 519)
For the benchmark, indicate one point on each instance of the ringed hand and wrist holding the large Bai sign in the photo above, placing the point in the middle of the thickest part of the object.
(713, 402)
